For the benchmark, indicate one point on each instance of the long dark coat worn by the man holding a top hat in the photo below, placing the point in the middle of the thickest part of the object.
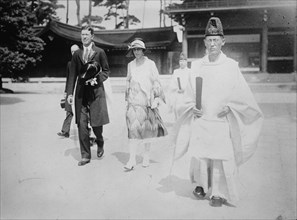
(94, 96)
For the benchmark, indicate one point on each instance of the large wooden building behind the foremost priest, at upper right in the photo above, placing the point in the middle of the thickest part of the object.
(260, 34)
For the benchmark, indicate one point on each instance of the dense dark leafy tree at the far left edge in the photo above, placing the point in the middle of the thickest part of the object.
(19, 47)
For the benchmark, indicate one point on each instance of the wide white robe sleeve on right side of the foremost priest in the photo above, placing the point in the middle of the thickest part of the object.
(246, 119)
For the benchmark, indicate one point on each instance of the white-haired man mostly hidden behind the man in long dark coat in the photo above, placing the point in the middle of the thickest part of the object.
(69, 114)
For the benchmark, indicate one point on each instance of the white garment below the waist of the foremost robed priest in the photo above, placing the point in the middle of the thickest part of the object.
(212, 163)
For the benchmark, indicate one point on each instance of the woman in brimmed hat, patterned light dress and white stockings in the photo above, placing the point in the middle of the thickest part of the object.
(143, 96)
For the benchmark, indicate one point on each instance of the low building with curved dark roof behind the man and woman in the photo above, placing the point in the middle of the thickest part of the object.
(162, 45)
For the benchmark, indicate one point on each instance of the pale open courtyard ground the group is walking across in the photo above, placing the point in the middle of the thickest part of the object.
(40, 178)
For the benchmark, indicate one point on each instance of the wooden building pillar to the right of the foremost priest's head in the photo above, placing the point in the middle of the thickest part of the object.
(264, 44)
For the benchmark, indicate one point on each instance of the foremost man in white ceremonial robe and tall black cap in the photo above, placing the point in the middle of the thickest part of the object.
(223, 134)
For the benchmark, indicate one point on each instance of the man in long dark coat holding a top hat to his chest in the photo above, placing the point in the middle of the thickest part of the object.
(90, 67)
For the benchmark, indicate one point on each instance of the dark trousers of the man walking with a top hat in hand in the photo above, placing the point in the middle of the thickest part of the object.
(84, 134)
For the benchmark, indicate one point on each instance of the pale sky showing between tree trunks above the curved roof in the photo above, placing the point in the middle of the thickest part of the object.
(147, 11)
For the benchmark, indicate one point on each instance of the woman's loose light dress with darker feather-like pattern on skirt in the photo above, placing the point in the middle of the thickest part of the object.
(143, 92)
